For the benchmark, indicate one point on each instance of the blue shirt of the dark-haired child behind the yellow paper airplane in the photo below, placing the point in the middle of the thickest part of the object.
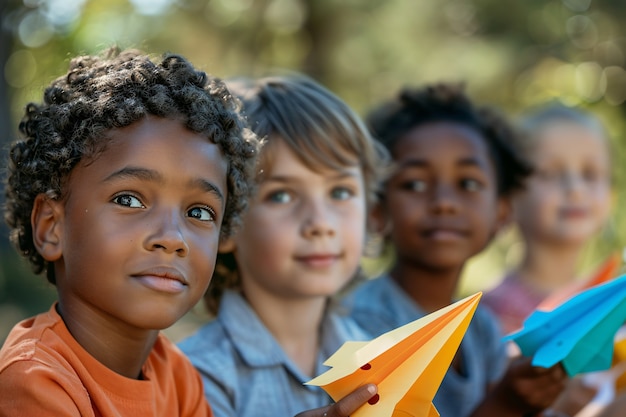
(380, 305)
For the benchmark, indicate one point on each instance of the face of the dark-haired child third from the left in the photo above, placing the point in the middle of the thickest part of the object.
(441, 204)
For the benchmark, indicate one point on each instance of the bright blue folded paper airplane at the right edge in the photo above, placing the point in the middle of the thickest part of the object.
(579, 333)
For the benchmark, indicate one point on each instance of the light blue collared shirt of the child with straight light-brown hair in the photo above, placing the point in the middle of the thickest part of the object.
(245, 371)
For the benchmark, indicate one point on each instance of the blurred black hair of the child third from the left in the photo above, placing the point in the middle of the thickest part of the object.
(448, 102)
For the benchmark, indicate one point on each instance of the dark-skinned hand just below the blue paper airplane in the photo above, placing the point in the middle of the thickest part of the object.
(528, 388)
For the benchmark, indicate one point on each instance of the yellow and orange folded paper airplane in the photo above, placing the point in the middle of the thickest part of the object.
(407, 364)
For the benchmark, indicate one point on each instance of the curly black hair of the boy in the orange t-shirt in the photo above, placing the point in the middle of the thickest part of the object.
(112, 90)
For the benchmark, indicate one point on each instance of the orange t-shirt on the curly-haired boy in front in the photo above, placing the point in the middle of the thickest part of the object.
(45, 372)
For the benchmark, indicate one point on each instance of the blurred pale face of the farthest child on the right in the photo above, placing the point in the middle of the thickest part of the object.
(568, 198)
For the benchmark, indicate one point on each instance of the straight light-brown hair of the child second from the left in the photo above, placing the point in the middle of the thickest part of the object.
(317, 126)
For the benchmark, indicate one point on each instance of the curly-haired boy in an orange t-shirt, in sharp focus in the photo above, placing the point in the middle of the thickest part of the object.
(125, 179)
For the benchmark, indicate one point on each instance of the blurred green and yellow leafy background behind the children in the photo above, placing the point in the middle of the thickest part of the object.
(511, 54)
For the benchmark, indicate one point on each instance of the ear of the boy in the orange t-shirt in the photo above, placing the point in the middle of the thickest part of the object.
(46, 220)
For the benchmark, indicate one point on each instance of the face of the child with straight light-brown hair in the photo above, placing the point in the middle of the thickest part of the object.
(303, 233)
